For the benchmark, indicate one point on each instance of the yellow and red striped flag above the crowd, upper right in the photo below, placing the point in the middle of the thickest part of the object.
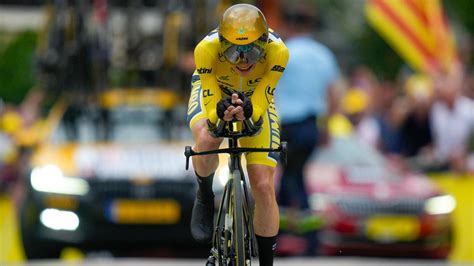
(417, 29)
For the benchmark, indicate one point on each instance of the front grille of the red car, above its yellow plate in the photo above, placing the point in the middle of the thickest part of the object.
(365, 206)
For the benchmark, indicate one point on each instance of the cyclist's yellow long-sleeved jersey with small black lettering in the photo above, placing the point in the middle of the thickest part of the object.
(218, 76)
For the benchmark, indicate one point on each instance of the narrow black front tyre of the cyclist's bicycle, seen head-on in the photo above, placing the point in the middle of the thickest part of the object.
(239, 225)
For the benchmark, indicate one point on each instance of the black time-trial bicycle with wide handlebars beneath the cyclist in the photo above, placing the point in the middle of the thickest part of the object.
(234, 241)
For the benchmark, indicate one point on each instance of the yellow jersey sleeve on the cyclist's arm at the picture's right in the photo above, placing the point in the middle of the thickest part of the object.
(277, 56)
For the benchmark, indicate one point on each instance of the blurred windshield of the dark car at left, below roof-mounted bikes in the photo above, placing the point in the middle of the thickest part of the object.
(120, 124)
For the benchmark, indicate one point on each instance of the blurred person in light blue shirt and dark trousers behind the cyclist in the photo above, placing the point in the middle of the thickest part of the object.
(301, 98)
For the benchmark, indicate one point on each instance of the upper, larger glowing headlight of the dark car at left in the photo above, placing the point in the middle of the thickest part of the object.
(49, 178)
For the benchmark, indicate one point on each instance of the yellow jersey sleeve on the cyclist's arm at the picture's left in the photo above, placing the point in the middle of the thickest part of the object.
(210, 89)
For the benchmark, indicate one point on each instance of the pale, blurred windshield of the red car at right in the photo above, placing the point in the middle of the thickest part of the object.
(360, 162)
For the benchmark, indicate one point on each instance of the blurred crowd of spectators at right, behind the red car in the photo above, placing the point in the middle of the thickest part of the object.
(424, 121)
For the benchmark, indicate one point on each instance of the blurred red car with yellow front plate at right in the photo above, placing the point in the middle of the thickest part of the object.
(373, 207)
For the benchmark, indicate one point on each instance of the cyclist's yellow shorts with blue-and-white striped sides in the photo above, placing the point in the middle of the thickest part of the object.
(269, 137)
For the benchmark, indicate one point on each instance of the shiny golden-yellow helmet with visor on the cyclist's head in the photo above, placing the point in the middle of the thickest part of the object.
(243, 28)
